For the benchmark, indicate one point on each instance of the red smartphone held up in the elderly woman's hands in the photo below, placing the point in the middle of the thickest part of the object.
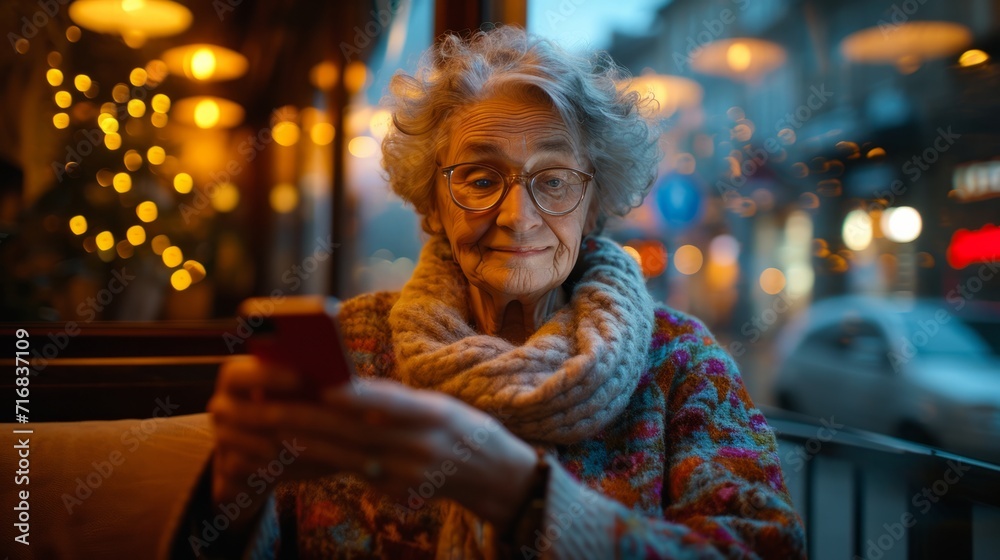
(301, 333)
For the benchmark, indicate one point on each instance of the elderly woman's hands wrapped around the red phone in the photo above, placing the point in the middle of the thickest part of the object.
(411, 444)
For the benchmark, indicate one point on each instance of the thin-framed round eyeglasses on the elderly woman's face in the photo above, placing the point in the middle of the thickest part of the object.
(554, 190)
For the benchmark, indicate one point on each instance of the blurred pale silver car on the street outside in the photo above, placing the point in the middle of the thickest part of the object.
(910, 369)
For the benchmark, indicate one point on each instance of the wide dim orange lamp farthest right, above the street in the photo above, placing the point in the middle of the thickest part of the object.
(910, 42)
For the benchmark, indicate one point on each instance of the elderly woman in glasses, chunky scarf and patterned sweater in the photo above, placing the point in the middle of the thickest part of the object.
(523, 394)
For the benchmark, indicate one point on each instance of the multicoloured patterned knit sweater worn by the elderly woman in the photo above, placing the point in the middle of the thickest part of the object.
(689, 470)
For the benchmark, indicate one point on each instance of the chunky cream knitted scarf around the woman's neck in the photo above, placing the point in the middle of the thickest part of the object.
(568, 381)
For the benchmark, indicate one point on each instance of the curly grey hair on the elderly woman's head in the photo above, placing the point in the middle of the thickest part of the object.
(609, 120)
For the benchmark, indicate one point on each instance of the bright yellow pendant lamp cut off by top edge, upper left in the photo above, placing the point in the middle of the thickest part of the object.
(133, 19)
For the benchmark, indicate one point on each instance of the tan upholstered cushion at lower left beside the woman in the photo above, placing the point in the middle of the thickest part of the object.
(130, 504)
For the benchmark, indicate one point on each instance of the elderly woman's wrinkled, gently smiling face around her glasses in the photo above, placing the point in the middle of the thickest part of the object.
(513, 250)
